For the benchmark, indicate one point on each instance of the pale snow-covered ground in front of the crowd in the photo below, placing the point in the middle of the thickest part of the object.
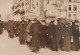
(10, 46)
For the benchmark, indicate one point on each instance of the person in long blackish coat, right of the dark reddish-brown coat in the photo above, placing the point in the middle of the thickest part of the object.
(52, 38)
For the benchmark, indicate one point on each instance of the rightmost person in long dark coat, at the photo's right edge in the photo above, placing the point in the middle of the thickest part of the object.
(75, 34)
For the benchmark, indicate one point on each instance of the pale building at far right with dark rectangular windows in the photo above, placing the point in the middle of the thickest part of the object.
(73, 9)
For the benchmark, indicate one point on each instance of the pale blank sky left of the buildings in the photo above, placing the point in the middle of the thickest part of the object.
(5, 7)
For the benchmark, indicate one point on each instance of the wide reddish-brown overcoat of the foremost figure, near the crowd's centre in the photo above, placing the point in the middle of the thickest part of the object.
(34, 32)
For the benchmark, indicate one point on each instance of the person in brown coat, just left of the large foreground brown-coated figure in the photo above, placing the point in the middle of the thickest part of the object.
(22, 32)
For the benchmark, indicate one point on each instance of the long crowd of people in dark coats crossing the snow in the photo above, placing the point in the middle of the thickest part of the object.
(56, 35)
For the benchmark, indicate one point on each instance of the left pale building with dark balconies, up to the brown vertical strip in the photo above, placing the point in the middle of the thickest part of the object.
(28, 9)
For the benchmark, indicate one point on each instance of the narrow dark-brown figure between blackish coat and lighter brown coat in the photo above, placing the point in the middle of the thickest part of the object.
(58, 35)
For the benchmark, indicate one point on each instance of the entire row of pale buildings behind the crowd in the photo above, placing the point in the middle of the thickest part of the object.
(43, 9)
